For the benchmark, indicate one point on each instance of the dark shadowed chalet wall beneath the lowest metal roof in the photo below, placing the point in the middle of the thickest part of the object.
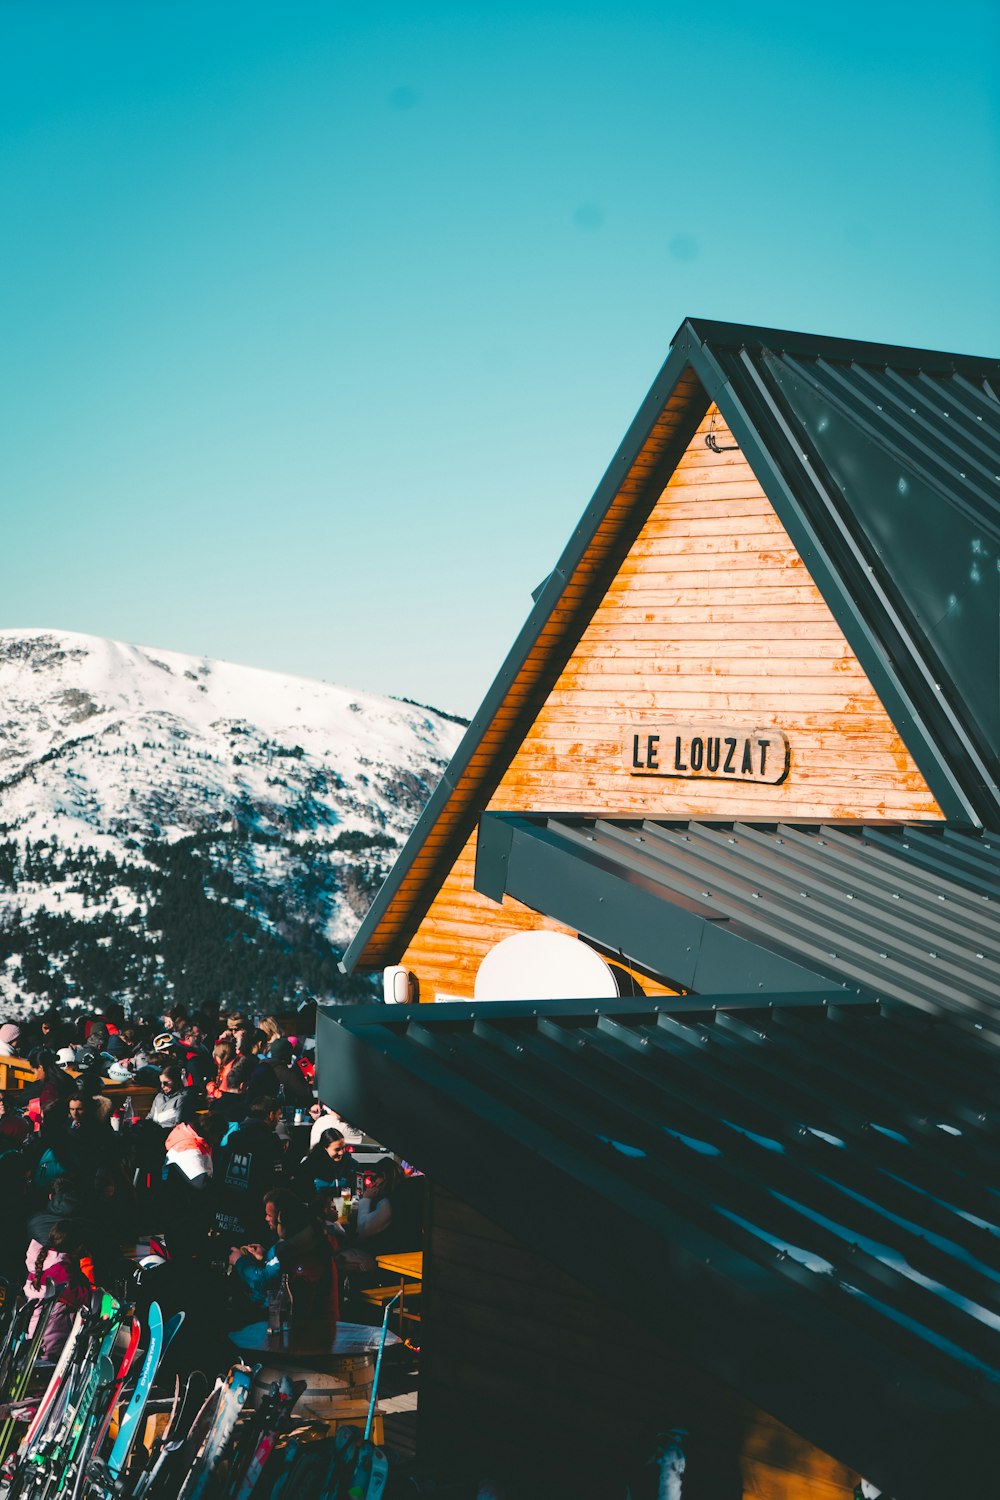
(527, 1376)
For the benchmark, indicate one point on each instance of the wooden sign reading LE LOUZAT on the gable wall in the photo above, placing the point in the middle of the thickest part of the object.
(708, 751)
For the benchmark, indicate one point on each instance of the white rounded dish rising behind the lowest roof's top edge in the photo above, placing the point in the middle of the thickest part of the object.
(545, 967)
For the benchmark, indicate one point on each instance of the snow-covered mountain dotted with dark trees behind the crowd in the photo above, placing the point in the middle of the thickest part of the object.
(133, 778)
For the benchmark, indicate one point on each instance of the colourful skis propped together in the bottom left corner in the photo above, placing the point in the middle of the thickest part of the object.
(215, 1445)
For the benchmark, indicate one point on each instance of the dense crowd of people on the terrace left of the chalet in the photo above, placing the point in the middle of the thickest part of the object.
(236, 1175)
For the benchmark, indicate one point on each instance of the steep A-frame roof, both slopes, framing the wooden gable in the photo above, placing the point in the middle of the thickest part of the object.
(884, 467)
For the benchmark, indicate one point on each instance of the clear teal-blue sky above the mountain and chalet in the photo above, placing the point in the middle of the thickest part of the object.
(320, 323)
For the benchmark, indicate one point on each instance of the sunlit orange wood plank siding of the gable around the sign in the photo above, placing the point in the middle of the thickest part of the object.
(711, 617)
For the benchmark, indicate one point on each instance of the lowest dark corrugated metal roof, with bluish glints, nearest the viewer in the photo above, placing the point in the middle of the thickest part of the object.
(810, 1184)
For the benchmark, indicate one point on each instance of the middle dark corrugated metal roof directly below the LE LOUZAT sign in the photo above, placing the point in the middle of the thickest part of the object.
(906, 913)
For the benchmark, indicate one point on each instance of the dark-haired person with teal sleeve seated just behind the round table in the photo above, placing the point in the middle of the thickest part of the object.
(301, 1253)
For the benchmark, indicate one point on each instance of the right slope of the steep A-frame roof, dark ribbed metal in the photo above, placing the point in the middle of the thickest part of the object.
(885, 469)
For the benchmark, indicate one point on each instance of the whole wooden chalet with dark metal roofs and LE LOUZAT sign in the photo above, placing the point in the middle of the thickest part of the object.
(747, 754)
